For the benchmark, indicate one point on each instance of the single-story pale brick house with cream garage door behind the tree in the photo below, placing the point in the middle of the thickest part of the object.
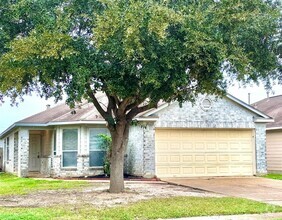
(213, 137)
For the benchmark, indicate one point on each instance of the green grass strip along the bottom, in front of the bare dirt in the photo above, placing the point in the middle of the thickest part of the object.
(174, 207)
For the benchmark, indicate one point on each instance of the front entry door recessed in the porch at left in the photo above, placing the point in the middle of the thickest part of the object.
(34, 152)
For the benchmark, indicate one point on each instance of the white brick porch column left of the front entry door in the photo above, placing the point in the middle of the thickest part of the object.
(23, 152)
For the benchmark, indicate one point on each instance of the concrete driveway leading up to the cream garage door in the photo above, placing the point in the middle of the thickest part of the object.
(255, 188)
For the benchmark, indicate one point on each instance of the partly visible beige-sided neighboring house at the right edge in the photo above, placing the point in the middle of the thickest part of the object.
(273, 106)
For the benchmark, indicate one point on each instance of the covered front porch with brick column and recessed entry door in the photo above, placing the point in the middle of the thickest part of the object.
(28, 152)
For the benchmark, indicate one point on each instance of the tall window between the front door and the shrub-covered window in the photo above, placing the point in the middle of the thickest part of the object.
(70, 143)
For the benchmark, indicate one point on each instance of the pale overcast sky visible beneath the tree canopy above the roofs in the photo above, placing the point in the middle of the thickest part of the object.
(34, 104)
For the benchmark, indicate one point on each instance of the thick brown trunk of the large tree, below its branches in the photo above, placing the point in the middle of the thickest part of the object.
(119, 142)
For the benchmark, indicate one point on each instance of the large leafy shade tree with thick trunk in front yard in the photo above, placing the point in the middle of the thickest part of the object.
(137, 52)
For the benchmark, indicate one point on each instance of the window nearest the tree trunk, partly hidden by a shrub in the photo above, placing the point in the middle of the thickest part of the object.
(96, 153)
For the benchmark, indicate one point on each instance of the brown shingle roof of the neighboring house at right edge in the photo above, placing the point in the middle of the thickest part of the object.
(271, 106)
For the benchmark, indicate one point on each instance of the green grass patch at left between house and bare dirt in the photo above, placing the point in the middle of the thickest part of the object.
(12, 185)
